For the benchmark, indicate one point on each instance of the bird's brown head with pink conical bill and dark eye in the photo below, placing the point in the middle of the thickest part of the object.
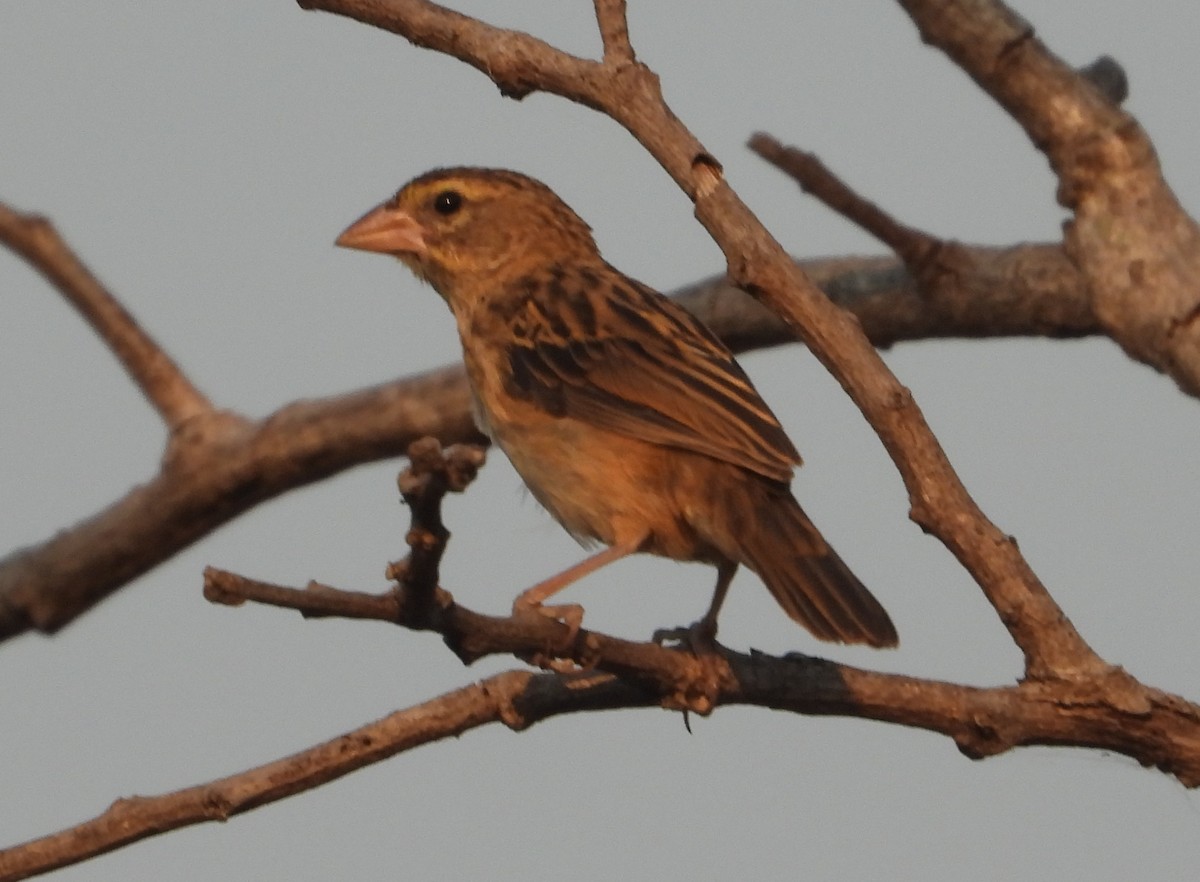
(463, 229)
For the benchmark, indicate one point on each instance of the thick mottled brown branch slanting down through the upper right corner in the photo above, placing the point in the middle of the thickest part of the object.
(1138, 249)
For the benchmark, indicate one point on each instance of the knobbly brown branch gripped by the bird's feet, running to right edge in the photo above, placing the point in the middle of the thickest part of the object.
(1106, 709)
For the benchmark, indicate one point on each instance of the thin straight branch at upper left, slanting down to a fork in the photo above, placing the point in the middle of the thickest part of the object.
(159, 379)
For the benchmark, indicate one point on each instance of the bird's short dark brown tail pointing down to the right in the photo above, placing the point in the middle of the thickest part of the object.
(806, 575)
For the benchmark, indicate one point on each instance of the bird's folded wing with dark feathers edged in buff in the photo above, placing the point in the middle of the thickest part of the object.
(598, 347)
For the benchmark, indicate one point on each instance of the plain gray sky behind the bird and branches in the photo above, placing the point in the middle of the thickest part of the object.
(202, 158)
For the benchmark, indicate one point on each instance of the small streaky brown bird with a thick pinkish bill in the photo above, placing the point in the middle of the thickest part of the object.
(629, 422)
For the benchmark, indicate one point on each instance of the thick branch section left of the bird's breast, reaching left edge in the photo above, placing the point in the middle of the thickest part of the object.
(218, 469)
